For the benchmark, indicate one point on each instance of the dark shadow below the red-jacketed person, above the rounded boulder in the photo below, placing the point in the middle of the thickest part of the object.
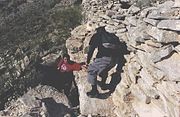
(50, 76)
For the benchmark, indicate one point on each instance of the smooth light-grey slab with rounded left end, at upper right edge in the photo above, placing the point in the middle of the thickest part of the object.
(169, 24)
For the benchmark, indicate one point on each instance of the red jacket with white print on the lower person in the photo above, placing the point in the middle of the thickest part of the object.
(68, 67)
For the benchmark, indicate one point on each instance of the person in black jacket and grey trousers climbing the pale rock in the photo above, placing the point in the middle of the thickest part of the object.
(107, 45)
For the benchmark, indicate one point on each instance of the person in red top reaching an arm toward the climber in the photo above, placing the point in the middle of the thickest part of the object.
(66, 68)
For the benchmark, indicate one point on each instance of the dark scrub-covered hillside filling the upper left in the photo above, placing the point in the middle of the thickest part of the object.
(31, 30)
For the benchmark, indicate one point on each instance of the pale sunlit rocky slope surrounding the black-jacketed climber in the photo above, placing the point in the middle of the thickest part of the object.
(149, 84)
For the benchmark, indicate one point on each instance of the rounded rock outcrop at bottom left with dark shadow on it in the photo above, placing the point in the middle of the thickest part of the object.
(42, 101)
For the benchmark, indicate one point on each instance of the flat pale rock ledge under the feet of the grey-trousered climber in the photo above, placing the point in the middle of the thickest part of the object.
(93, 106)
